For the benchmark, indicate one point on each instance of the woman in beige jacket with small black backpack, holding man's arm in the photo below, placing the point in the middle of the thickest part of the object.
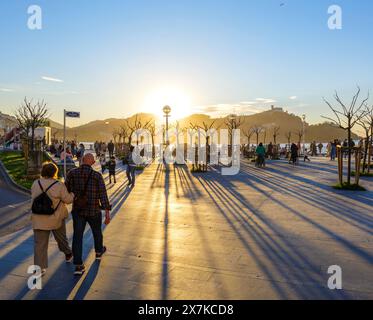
(49, 212)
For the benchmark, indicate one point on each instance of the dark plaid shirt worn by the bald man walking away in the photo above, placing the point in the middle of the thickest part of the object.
(96, 190)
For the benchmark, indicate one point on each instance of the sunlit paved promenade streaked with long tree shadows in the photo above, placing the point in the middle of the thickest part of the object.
(263, 234)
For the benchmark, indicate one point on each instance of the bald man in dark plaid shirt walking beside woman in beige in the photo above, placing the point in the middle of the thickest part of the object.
(86, 181)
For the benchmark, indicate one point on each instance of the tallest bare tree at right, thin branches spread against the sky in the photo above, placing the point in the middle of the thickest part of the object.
(347, 118)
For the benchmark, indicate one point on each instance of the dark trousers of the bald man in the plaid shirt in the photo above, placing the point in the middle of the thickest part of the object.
(79, 223)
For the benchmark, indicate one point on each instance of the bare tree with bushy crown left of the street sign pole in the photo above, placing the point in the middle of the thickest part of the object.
(31, 116)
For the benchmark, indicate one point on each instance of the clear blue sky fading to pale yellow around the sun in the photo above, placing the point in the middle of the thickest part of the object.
(113, 58)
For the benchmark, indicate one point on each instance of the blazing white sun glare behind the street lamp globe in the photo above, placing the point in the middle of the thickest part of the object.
(179, 102)
